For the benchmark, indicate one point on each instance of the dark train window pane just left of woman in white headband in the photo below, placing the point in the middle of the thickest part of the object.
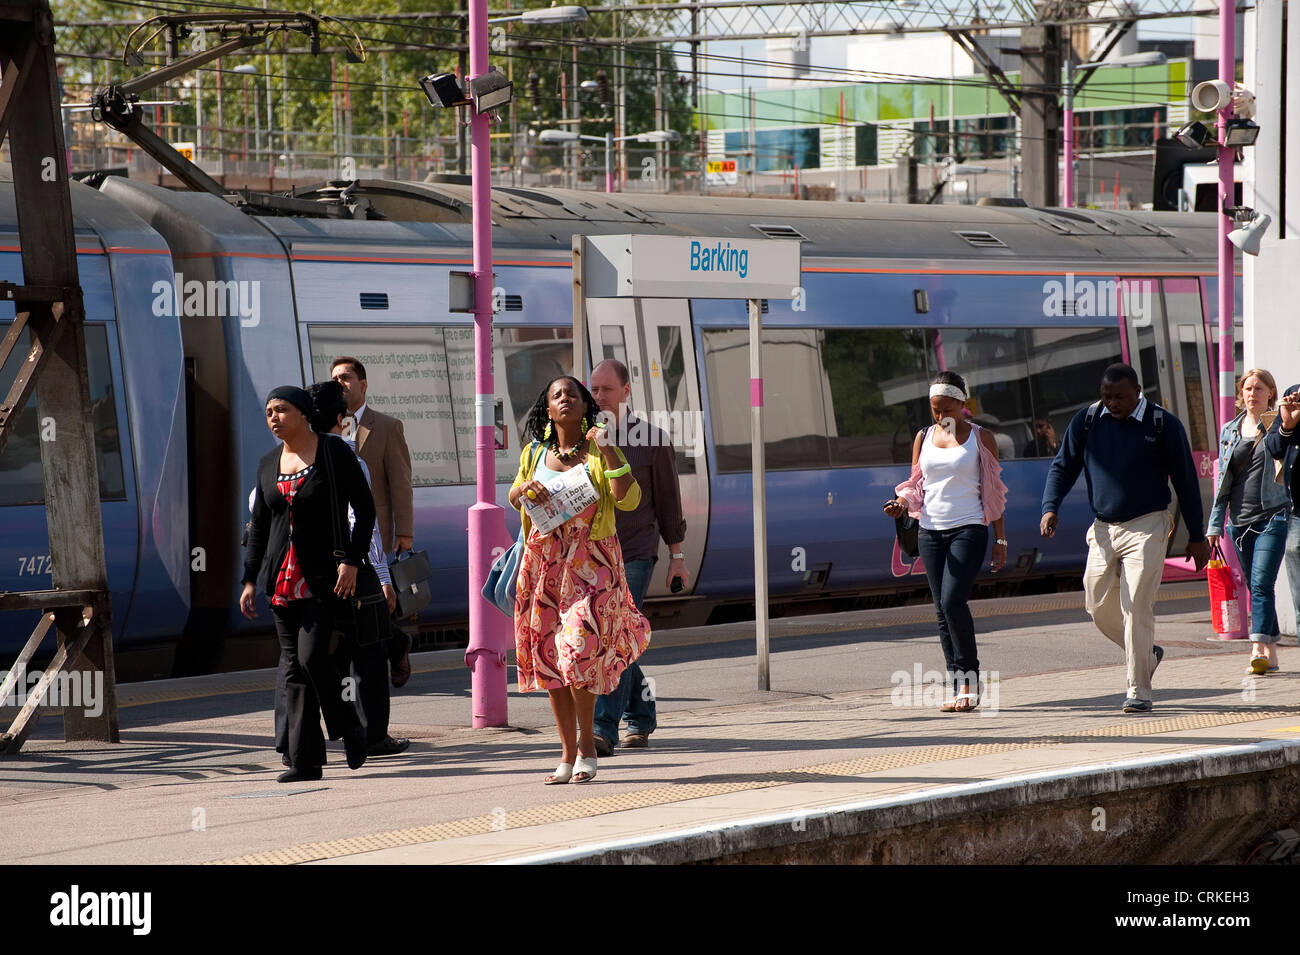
(879, 385)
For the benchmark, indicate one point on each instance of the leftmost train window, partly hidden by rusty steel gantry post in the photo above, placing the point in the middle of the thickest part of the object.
(21, 474)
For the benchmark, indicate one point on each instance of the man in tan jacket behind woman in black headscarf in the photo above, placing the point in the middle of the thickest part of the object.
(382, 444)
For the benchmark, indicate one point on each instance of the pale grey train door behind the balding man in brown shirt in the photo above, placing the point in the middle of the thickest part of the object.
(653, 340)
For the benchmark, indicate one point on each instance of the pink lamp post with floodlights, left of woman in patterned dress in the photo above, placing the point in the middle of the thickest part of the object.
(484, 92)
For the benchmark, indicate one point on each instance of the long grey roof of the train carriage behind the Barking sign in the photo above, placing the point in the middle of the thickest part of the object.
(549, 218)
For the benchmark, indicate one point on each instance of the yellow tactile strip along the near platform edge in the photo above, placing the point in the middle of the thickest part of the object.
(664, 796)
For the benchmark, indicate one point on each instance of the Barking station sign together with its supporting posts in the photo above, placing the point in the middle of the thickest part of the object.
(673, 267)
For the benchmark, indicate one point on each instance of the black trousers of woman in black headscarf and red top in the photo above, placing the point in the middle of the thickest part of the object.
(313, 685)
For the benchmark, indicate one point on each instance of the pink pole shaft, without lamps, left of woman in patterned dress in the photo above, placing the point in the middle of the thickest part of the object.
(489, 632)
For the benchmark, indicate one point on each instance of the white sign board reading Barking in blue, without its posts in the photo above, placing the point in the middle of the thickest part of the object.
(678, 267)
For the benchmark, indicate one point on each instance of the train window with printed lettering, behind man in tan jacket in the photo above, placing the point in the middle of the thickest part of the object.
(426, 377)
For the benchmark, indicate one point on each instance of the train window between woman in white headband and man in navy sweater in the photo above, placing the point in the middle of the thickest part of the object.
(1065, 376)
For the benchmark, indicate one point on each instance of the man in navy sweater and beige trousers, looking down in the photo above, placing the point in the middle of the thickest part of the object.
(1129, 450)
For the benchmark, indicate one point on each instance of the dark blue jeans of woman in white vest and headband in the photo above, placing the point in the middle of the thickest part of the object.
(952, 561)
